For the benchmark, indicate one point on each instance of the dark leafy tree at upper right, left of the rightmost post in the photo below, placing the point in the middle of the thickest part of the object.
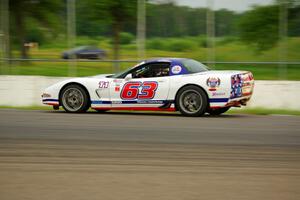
(259, 26)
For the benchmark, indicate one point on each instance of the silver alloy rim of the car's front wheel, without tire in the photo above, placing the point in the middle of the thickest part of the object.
(73, 99)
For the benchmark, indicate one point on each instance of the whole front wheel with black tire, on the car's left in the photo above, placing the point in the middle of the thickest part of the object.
(74, 99)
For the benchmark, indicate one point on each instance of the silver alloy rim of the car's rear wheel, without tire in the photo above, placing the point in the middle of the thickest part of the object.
(190, 101)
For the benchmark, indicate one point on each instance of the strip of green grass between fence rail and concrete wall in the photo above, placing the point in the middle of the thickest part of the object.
(260, 72)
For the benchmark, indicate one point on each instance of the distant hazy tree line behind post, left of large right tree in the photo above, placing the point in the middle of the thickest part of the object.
(171, 20)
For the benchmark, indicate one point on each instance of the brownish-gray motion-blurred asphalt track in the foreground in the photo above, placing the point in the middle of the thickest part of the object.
(55, 155)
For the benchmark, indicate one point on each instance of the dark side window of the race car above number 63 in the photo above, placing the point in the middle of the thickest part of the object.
(152, 70)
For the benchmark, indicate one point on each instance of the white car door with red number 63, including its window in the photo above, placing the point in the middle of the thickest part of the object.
(143, 89)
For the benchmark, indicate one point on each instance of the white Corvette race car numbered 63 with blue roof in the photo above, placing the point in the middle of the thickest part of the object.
(168, 84)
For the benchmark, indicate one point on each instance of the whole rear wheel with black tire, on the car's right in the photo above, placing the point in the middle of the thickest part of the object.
(191, 101)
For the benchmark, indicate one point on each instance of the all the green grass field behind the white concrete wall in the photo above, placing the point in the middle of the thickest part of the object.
(227, 49)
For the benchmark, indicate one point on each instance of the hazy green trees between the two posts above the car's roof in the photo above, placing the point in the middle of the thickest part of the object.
(170, 20)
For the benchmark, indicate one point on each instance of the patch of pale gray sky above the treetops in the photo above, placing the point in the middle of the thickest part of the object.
(236, 5)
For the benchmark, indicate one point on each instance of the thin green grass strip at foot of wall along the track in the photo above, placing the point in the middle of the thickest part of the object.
(253, 111)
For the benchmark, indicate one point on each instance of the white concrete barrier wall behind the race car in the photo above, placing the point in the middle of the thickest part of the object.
(27, 90)
